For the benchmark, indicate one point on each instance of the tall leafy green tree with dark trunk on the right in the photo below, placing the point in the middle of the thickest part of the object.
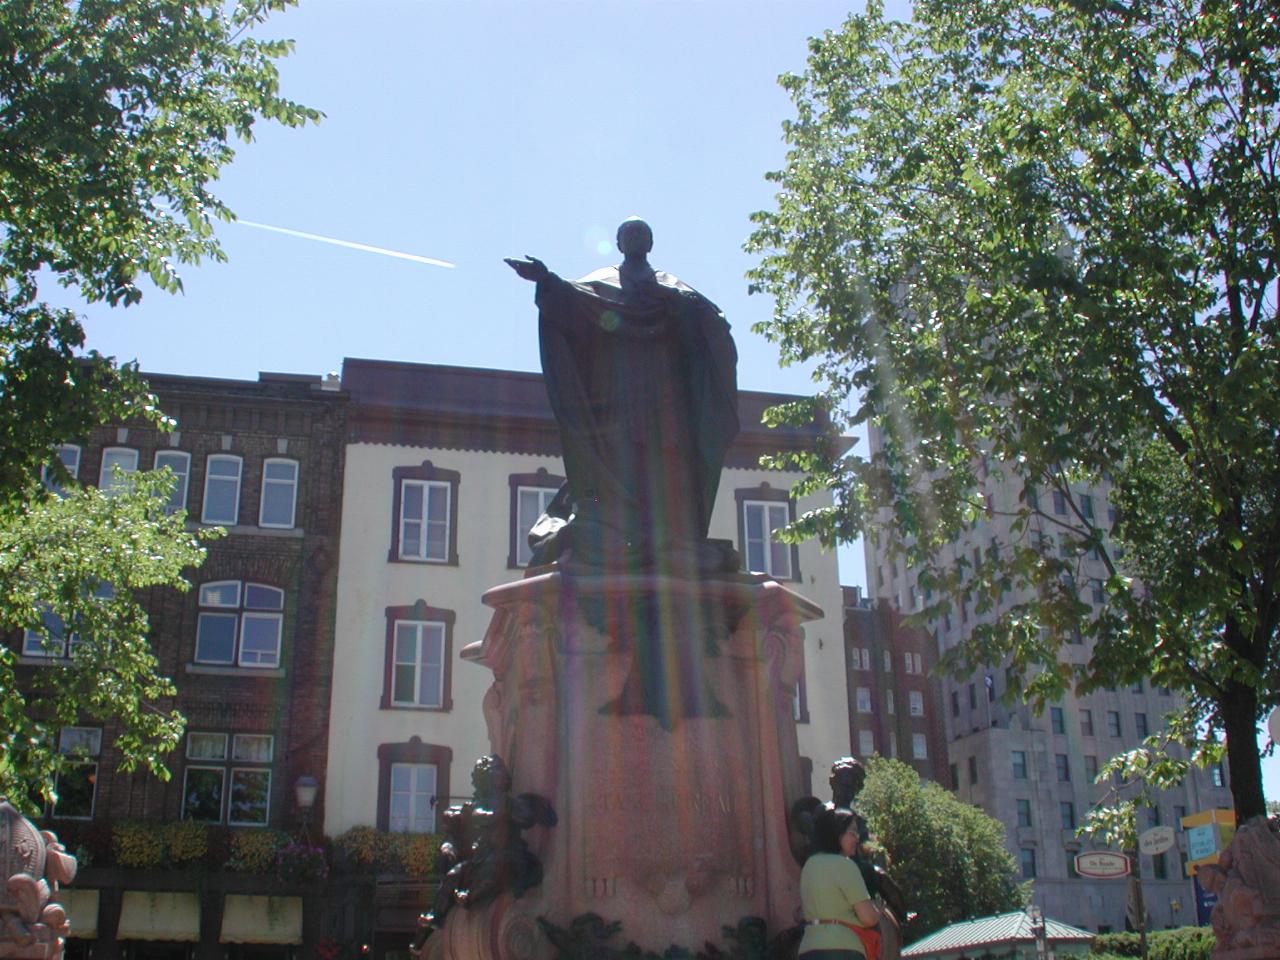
(1046, 237)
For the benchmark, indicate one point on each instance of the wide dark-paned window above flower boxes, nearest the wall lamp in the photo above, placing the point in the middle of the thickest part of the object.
(211, 770)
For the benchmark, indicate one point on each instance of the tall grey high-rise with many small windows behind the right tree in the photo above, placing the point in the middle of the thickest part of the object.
(1036, 774)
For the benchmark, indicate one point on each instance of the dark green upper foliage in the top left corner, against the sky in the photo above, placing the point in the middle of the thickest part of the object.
(116, 117)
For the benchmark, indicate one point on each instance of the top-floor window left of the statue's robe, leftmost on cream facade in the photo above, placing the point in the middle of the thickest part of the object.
(424, 515)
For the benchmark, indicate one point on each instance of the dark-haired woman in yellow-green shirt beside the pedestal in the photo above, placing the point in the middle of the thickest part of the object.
(834, 895)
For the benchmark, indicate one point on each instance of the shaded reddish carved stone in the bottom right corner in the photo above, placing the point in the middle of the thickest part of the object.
(1247, 881)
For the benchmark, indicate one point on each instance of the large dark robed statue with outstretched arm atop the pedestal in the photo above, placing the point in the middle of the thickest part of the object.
(641, 372)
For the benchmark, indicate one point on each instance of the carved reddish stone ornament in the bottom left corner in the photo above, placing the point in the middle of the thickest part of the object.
(34, 865)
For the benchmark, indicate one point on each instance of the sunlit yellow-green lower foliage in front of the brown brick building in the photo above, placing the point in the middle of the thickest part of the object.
(70, 570)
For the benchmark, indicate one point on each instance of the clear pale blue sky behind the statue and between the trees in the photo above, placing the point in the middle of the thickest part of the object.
(474, 130)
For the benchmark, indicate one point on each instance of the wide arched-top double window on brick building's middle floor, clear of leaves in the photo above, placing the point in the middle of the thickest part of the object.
(240, 624)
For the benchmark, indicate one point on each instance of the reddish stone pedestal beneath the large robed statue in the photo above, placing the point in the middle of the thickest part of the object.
(657, 715)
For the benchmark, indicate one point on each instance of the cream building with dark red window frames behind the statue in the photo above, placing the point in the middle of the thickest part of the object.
(446, 468)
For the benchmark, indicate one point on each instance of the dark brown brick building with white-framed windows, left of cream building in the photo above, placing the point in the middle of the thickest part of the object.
(250, 650)
